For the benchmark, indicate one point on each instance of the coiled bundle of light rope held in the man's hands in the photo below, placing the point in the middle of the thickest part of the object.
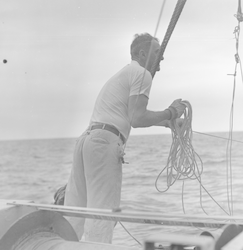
(181, 163)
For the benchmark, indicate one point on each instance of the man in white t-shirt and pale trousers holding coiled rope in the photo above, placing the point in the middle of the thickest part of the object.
(96, 176)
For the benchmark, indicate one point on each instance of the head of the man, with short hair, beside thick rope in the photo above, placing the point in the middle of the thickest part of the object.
(144, 50)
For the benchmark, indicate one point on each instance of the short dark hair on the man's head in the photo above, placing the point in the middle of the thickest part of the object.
(141, 41)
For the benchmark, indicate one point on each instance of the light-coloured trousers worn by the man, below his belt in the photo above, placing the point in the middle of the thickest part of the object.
(95, 182)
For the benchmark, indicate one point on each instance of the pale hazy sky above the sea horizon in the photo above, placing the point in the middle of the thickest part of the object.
(61, 52)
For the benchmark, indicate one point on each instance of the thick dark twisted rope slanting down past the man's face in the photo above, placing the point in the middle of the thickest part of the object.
(176, 14)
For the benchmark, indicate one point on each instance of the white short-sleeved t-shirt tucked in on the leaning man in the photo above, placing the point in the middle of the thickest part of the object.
(111, 106)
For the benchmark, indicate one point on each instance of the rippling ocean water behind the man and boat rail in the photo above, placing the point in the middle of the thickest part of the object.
(35, 169)
